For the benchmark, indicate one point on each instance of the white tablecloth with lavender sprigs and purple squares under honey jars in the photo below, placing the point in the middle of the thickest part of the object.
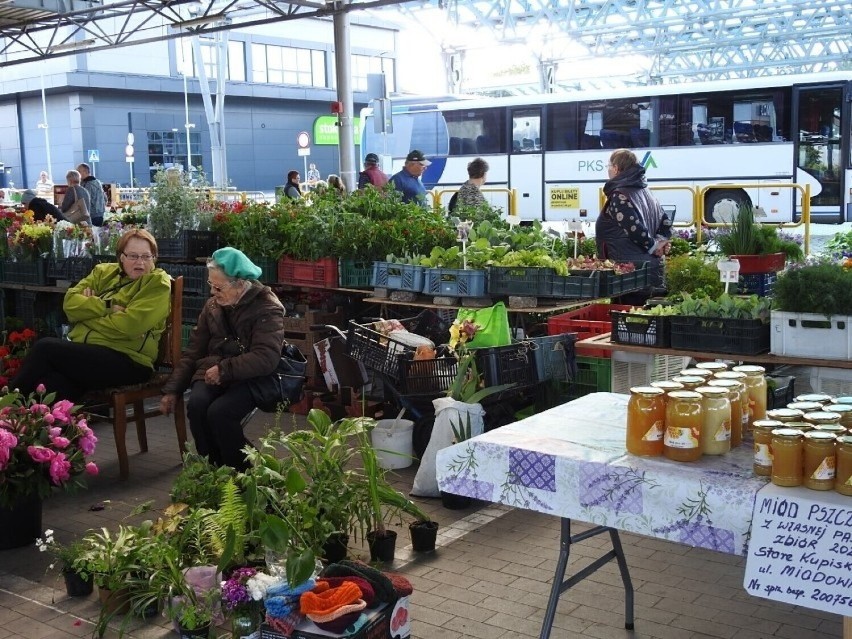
(570, 461)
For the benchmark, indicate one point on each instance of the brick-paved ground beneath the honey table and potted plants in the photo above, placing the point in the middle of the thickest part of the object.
(490, 577)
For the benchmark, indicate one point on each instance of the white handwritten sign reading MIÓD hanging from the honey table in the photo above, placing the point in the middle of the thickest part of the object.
(800, 550)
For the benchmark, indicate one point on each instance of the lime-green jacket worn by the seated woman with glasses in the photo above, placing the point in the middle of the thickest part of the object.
(134, 331)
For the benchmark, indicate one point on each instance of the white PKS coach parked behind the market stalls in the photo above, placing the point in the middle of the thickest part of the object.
(553, 149)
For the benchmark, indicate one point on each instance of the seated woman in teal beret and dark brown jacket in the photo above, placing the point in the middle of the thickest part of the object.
(240, 334)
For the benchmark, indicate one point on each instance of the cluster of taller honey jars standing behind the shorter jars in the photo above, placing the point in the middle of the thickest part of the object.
(702, 411)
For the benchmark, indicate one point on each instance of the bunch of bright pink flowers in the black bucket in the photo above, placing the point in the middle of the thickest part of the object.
(43, 444)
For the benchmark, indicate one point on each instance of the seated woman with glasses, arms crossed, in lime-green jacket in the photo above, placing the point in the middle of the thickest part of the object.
(118, 313)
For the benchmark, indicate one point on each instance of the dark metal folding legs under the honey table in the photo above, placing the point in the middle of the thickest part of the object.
(560, 584)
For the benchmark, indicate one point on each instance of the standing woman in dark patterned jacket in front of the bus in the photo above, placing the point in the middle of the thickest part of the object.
(632, 226)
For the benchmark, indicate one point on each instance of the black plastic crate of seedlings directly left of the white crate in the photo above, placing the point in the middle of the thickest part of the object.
(719, 335)
